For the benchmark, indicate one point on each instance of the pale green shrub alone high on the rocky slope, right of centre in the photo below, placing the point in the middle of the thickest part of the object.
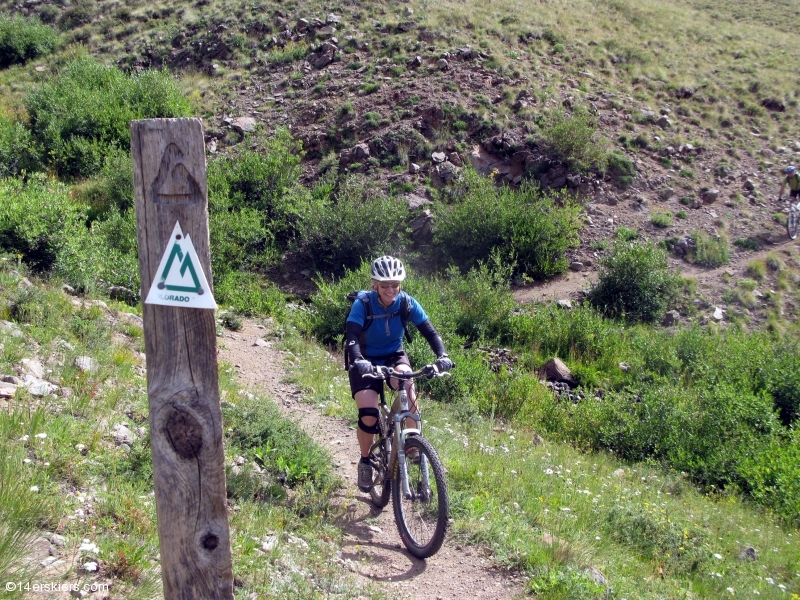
(573, 139)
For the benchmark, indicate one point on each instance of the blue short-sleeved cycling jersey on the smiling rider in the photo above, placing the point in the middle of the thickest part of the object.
(385, 335)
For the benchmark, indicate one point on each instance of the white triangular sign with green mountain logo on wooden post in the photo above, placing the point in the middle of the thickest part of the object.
(180, 280)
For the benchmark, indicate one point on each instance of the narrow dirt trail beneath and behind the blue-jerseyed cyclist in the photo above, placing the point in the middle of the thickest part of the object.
(371, 539)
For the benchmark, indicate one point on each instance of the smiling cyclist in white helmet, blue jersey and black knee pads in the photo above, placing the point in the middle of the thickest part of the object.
(382, 344)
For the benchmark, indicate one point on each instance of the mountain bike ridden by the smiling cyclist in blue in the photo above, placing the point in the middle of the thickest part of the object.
(407, 466)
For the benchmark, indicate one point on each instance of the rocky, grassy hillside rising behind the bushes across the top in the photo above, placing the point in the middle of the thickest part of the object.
(684, 104)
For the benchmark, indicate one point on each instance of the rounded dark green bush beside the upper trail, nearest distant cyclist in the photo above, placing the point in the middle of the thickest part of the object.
(635, 282)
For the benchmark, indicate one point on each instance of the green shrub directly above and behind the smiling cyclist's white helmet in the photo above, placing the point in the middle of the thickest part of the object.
(338, 232)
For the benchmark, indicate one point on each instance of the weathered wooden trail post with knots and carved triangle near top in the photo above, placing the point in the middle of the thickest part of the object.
(169, 173)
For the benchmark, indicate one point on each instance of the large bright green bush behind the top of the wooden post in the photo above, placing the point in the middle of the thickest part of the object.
(80, 115)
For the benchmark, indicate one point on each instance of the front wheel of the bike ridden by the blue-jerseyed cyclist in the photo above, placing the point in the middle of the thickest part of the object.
(422, 518)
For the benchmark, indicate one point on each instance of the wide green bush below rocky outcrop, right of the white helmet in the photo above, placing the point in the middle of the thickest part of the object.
(524, 227)
